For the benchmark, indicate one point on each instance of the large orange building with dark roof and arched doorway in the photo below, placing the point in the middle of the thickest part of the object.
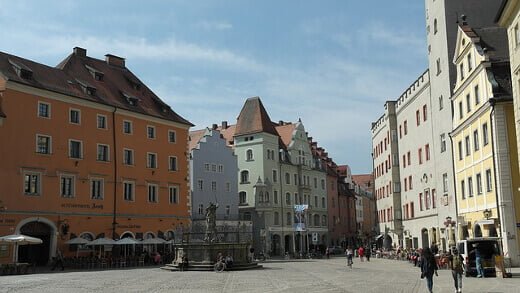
(87, 150)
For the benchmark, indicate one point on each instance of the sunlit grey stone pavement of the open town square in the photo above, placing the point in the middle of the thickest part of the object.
(321, 275)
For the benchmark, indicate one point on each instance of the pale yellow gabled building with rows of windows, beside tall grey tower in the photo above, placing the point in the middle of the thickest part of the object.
(483, 137)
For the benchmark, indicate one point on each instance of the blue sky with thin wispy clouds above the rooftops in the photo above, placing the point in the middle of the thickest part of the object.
(332, 64)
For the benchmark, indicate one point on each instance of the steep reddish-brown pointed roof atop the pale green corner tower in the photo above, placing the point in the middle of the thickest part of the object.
(254, 119)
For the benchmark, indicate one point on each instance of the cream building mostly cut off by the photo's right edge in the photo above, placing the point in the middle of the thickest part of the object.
(509, 18)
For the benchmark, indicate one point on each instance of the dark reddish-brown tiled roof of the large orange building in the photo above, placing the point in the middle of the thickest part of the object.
(74, 75)
